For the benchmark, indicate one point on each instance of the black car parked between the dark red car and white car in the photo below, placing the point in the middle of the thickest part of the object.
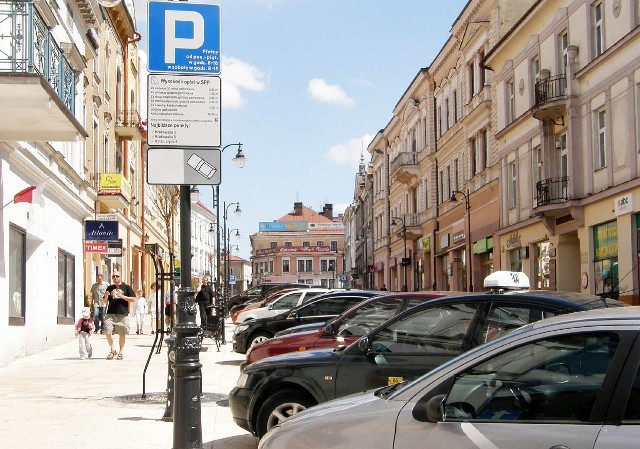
(321, 309)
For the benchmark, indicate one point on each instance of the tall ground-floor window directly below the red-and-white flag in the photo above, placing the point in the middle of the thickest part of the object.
(17, 274)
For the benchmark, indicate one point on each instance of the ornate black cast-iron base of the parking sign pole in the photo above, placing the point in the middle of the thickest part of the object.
(187, 426)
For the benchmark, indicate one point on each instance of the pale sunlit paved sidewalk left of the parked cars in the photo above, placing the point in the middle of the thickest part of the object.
(55, 400)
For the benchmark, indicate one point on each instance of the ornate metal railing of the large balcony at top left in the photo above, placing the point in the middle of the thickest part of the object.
(27, 46)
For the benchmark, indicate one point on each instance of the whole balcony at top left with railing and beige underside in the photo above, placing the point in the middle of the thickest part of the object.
(37, 78)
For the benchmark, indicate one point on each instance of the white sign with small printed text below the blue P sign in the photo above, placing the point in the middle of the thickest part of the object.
(183, 110)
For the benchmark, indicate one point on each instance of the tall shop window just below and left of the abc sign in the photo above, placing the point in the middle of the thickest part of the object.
(605, 250)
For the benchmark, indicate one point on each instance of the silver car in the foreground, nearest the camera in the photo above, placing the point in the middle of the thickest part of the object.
(571, 381)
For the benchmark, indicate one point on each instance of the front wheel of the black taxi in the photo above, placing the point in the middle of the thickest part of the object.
(279, 407)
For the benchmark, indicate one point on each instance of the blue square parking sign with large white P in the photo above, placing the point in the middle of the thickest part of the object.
(184, 37)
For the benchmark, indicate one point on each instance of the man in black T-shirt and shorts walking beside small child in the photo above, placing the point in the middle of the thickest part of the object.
(118, 296)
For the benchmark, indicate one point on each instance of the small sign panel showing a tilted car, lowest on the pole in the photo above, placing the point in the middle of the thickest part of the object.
(183, 166)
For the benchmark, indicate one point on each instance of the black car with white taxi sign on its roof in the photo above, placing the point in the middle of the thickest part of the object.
(400, 349)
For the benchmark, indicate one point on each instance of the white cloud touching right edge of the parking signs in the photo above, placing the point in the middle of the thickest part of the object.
(237, 76)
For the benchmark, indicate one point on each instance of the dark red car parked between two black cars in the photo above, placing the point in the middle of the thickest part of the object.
(342, 330)
